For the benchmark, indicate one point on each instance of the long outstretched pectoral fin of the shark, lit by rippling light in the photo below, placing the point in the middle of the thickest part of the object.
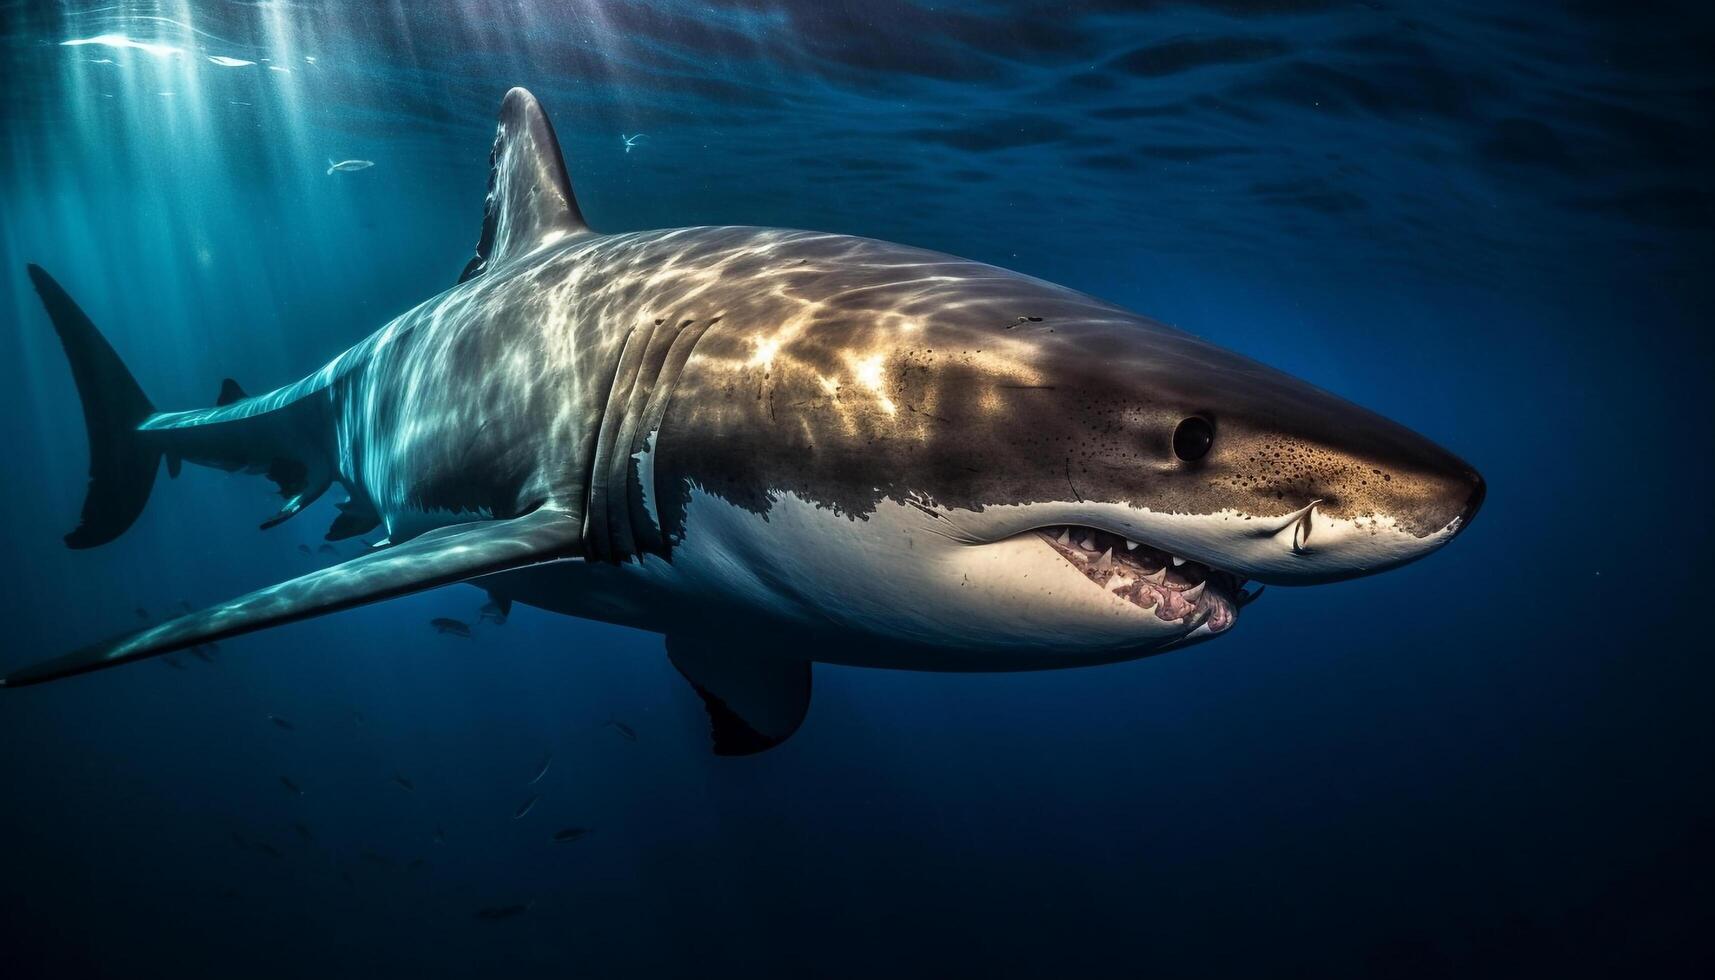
(428, 562)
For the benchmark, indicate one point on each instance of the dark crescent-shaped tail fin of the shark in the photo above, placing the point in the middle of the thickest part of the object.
(123, 461)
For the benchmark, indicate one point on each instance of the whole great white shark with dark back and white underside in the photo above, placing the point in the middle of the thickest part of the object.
(781, 447)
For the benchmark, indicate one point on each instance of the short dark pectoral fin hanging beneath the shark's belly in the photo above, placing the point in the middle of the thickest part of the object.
(754, 701)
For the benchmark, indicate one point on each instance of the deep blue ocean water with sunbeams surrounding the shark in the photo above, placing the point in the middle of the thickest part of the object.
(1488, 221)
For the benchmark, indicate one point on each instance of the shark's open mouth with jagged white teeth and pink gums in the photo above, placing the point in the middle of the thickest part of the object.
(1176, 590)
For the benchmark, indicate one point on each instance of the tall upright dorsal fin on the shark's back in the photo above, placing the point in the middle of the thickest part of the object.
(531, 200)
